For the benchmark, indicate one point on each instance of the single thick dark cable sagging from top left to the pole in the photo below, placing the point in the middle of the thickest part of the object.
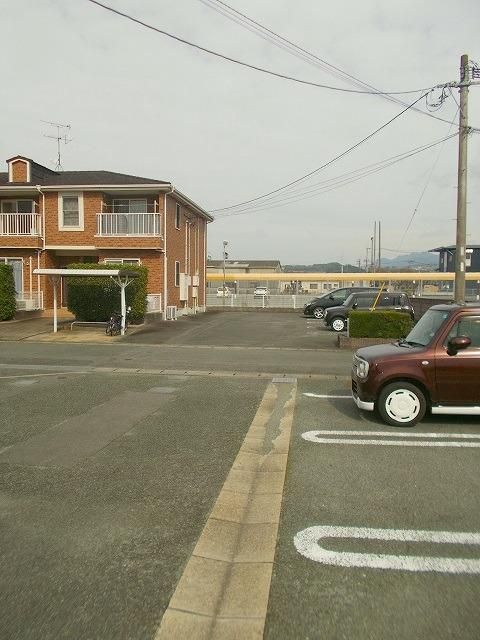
(246, 64)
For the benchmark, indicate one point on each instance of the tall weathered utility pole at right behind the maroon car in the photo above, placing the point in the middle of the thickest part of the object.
(462, 183)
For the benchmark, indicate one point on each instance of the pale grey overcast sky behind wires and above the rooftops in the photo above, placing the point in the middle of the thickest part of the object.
(141, 103)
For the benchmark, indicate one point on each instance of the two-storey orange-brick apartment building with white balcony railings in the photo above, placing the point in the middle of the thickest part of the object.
(49, 219)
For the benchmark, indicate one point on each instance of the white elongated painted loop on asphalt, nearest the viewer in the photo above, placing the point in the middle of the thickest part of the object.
(307, 543)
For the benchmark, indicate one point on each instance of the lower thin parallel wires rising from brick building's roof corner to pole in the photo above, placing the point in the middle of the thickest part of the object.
(333, 183)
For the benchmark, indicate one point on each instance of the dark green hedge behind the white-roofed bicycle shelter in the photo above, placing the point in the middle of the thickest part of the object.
(94, 299)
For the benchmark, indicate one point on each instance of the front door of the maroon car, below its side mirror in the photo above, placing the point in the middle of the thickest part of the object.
(458, 377)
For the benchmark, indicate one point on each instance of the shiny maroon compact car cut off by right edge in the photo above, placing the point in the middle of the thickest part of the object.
(435, 368)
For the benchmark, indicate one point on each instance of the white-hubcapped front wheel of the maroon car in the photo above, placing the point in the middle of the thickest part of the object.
(401, 404)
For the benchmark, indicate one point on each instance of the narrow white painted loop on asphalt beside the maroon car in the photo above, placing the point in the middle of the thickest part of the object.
(314, 436)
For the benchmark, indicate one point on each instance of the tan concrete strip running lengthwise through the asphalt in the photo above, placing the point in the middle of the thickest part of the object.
(224, 590)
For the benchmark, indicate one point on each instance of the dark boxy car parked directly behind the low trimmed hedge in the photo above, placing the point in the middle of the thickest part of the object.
(336, 317)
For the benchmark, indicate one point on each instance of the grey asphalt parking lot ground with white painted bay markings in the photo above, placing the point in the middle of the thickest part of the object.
(113, 457)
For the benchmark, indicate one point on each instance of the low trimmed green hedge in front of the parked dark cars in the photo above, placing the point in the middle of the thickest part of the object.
(379, 324)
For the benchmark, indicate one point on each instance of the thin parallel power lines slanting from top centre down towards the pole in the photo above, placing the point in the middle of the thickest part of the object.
(307, 56)
